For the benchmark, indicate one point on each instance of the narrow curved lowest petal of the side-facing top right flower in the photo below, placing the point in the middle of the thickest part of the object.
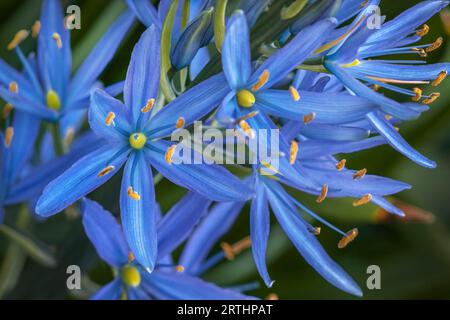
(397, 142)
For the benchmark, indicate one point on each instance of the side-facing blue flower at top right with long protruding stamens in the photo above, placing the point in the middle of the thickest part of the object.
(353, 59)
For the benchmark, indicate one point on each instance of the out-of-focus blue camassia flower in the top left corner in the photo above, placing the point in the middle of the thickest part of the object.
(47, 89)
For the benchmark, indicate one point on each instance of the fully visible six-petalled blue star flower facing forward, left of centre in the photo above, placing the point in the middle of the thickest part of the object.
(131, 136)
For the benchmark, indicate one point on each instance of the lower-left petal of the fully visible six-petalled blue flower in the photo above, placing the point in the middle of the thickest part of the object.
(80, 179)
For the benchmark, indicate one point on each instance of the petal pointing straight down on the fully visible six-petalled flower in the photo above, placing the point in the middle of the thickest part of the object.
(138, 215)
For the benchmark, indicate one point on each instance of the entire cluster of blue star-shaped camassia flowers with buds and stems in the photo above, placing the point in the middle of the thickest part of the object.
(322, 81)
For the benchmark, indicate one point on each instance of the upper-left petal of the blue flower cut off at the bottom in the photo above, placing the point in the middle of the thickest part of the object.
(105, 233)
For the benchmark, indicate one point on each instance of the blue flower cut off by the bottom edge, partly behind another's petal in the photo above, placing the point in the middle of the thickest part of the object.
(167, 281)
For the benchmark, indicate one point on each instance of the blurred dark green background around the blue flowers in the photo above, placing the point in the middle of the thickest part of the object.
(414, 257)
